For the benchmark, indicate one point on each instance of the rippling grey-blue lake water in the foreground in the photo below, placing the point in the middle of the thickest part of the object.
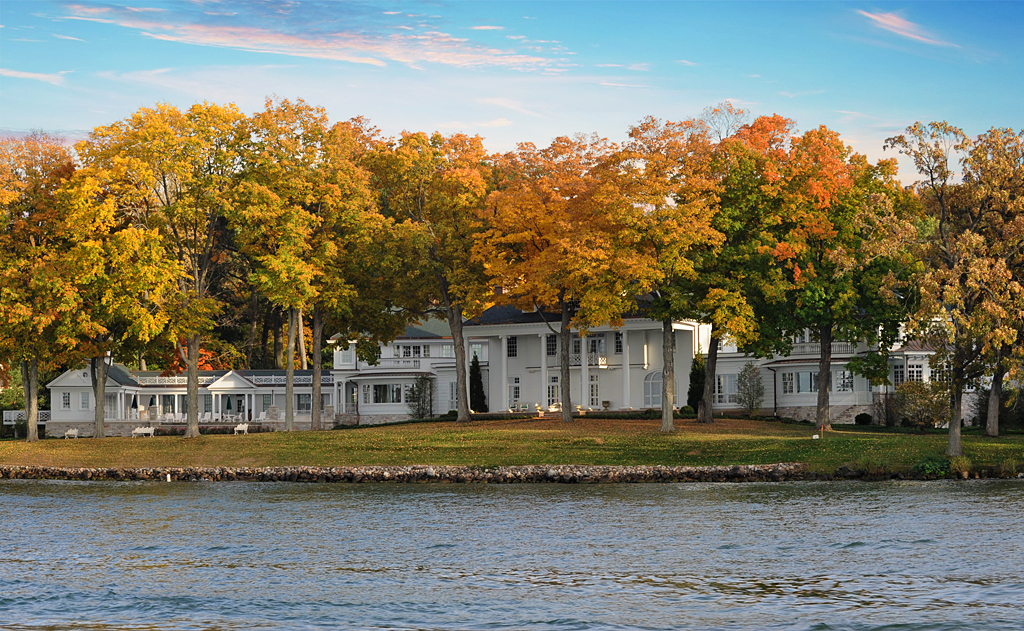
(240, 556)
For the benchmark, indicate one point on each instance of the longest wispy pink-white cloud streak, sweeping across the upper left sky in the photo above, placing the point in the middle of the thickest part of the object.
(316, 36)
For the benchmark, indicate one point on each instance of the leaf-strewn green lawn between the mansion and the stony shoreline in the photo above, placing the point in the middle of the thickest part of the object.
(596, 442)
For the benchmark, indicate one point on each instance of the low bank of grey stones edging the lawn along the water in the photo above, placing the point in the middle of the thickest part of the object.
(424, 474)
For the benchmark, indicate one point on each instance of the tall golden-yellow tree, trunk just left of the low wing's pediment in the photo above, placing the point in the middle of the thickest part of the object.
(170, 172)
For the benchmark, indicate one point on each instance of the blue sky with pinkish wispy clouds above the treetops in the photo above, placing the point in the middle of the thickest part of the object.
(520, 71)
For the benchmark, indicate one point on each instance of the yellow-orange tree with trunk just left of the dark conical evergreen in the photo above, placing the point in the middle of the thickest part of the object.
(439, 184)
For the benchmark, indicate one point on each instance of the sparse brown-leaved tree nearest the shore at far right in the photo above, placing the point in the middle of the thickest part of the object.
(971, 307)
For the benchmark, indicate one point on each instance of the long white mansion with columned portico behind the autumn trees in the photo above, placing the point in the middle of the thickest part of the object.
(611, 369)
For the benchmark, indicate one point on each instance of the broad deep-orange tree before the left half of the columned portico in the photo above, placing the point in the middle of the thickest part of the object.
(561, 240)
